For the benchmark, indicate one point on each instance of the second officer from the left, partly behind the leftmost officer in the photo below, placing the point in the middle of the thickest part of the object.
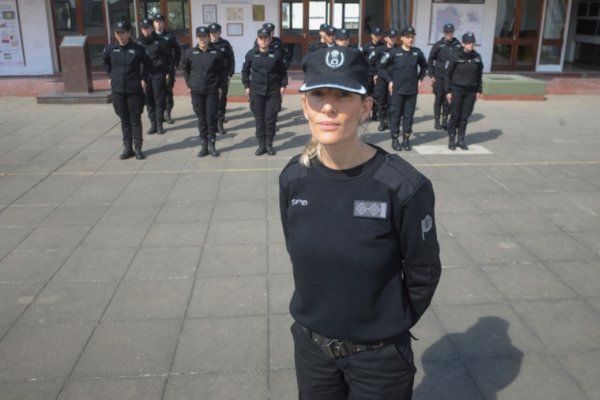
(160, 55)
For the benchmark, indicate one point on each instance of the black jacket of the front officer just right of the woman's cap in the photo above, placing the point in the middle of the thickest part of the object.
(405, 68)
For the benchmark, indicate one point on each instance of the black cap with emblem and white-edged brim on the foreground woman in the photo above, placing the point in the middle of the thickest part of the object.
(343, 68)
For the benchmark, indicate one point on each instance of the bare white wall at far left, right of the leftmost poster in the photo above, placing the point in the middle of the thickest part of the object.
(37, 38)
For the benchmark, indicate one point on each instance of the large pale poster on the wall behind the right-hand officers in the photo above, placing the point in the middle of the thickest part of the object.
(466, 17)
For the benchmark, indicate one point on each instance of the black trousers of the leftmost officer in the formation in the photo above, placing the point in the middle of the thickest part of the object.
(129, 107)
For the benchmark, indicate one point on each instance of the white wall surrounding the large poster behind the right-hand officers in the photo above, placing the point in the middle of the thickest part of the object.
(422, 23)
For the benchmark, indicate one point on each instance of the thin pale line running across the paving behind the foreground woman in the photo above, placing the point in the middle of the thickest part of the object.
(234, 170)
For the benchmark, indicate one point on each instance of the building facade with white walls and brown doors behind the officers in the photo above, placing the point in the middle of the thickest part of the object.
(512, 35)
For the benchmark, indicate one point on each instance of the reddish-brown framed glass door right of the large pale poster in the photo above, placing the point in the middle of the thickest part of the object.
(517, 35)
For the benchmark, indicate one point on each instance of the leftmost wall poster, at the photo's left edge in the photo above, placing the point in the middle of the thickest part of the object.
(11, 45)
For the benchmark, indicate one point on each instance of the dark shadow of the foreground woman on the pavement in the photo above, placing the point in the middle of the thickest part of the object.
(490, 354)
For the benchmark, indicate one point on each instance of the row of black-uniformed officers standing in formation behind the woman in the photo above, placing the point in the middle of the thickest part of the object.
(143, 72)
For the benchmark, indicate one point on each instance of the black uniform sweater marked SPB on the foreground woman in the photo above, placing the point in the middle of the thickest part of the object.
(363, 246)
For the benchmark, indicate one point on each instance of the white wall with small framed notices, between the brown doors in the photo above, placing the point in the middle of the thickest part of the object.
(240, 44)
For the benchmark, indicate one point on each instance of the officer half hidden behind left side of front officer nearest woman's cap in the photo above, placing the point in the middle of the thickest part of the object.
(382, 94)
